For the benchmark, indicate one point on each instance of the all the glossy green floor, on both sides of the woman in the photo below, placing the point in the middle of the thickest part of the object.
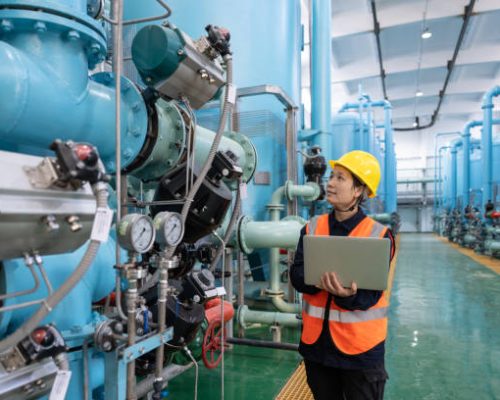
(444, 336)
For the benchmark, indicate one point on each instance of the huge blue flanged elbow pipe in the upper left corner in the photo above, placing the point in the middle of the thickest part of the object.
(45, 91)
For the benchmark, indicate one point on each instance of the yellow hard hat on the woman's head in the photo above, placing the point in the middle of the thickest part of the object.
(364, 165)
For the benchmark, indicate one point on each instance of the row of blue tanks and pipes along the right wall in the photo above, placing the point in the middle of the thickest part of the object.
(467, 185)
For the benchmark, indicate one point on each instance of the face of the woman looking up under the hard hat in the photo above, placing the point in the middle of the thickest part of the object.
(340, 191)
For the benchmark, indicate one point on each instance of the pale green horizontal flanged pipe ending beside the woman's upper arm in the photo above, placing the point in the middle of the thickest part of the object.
(283, 234)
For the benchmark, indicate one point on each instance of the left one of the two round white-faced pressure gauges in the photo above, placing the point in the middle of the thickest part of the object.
(136, 233)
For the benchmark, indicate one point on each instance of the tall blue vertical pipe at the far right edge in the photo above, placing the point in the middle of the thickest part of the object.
(487, 143)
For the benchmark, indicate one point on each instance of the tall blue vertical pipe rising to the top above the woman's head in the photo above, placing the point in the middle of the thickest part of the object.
(320, 71)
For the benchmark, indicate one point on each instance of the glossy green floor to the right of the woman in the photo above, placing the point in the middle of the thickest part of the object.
(444, 325)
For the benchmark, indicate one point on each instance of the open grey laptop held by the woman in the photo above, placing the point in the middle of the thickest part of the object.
(362, 260)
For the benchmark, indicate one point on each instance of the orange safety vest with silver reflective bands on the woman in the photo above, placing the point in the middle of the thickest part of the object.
(353, 332)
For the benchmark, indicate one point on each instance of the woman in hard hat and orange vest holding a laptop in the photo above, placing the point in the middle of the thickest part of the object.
(344, 360)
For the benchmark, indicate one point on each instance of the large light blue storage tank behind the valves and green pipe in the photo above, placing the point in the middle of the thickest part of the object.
(266, 41)
